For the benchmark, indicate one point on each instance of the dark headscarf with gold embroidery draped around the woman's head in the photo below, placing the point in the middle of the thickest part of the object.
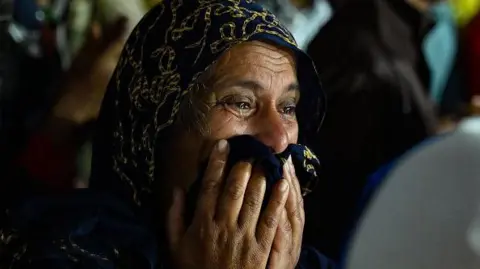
(161, 63)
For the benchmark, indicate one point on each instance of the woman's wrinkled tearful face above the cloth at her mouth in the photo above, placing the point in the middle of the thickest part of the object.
(253, 91)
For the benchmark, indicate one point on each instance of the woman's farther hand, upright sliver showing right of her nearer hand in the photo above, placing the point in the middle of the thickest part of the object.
(287, 244)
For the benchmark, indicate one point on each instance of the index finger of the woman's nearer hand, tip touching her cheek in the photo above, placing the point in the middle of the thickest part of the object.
(212, 182)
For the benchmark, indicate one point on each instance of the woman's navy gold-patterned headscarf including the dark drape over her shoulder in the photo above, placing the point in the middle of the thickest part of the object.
(105, 226)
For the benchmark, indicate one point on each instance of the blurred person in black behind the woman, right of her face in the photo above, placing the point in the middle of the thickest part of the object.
(377, 82)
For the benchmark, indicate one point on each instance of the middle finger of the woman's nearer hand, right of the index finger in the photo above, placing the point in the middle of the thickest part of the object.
(232, 197)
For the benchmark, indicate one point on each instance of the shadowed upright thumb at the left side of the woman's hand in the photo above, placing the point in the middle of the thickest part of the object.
(175, 221)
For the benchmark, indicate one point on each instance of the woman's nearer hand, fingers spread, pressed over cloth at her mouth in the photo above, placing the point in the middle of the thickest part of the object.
(228, 230)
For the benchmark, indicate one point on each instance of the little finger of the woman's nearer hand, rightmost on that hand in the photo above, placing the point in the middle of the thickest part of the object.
(271, 217)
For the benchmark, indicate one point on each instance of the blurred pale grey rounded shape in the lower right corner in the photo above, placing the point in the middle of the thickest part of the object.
(425, 216)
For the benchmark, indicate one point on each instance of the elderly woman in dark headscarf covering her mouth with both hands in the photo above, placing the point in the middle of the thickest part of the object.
(199, 84)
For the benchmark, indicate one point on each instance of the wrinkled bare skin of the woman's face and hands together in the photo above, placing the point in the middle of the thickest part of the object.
(253, 91)
